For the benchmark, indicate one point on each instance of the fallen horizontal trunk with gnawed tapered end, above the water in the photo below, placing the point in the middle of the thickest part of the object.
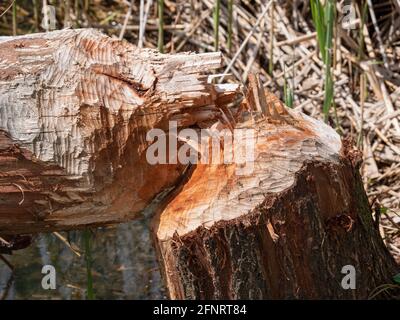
(75, 108)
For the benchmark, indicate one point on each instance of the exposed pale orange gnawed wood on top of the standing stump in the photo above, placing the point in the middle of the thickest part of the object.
(216, 192)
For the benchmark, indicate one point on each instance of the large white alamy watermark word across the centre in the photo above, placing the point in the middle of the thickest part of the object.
(205, 146)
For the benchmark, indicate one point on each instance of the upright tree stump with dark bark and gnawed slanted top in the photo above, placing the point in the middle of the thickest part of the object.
(286, 229)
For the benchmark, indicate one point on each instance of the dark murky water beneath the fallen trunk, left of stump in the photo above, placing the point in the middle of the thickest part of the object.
(124, 266)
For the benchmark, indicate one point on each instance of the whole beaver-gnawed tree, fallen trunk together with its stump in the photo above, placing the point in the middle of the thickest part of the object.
(75, 108)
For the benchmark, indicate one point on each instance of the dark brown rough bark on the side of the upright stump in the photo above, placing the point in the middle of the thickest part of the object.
(292, 246)
